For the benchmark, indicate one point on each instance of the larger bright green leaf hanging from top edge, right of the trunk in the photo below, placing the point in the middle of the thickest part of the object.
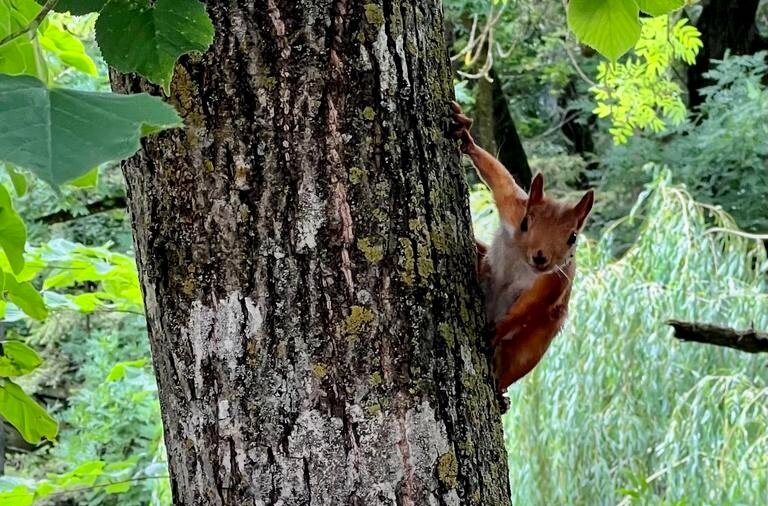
(610, 26)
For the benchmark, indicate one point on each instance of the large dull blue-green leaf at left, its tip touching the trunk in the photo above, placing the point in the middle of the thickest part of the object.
(74, 130)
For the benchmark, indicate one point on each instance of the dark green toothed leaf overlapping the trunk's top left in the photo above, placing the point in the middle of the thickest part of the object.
(137, 36)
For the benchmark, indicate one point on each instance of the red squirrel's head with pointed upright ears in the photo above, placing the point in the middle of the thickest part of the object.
(546, 235)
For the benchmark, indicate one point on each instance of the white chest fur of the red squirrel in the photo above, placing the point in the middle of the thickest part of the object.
(510, 275)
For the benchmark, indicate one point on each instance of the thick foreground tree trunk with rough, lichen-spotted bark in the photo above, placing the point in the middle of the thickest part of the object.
(306, 257)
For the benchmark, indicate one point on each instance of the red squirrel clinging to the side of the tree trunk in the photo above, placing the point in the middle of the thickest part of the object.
(527, 271)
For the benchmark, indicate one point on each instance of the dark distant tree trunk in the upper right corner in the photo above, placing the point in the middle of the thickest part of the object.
(724, 24)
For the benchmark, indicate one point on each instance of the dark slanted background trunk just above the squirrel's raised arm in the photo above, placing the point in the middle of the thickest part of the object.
(495, 129)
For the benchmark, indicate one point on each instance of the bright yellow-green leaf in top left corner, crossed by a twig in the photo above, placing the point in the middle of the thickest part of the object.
(20, 56)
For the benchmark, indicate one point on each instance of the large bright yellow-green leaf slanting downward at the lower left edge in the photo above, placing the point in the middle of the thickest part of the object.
(26, 415)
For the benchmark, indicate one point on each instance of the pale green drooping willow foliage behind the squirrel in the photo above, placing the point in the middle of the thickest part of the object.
(619, 412)
